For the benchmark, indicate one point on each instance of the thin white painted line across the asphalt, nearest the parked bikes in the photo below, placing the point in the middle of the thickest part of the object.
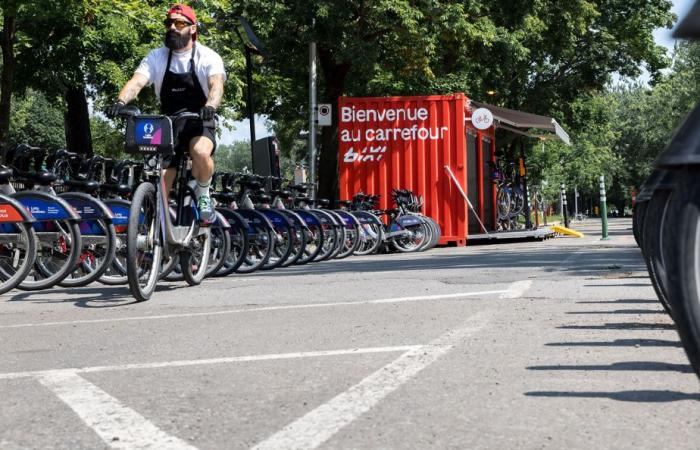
(265, 308)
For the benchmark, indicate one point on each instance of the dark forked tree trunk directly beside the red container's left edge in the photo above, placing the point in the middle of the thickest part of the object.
(334, 78)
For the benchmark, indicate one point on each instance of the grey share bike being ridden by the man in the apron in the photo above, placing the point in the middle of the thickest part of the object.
(153, 236)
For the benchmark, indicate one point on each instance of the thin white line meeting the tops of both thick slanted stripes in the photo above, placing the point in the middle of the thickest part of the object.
(200, 362)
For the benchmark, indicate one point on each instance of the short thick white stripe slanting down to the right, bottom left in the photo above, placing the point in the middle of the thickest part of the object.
(117, 425)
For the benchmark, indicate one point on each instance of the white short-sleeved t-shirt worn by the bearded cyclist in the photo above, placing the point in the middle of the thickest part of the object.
(206, 63)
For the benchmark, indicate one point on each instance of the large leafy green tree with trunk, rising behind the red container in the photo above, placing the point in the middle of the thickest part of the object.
(538, 55)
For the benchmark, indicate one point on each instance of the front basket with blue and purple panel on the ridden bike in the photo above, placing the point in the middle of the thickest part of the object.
(149, 135)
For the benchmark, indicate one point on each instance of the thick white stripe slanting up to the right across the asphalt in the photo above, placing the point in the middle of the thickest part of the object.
(319, 425)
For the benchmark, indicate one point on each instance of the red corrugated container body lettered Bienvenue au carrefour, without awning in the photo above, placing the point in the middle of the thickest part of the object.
(388, 143)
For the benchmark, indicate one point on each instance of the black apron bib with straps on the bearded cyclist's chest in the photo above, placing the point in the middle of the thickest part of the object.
(181, 91)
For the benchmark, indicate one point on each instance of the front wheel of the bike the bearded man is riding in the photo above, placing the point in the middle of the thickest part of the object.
(144, 243)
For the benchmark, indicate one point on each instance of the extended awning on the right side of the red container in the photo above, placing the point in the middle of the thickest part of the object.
(524, 123)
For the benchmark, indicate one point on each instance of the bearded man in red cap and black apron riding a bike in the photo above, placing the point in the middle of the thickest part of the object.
(187, 76)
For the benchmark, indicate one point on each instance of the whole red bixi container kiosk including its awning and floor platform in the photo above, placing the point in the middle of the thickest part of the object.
(441, 148)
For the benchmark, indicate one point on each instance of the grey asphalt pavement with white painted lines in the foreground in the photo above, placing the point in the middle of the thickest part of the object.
(554, 344)
